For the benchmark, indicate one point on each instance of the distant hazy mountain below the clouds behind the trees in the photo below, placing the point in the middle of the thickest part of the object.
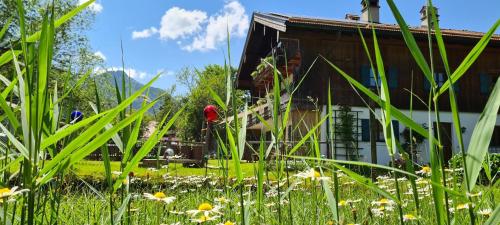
(108, 79)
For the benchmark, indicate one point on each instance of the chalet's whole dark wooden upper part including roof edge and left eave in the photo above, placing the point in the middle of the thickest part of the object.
(342, 46)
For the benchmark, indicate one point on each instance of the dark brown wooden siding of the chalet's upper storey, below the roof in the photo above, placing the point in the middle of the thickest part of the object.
(346, 51)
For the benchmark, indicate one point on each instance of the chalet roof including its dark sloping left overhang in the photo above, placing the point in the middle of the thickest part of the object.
(256, 46)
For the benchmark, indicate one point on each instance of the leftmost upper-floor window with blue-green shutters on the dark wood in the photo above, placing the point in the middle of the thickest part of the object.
(368, 77)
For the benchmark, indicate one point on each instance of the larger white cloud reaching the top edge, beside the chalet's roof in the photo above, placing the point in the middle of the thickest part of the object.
(232, 17)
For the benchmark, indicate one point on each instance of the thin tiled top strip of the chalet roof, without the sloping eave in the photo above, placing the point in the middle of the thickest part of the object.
(281, 22)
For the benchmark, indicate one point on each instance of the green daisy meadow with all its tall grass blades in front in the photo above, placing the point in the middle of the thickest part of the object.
(46, 180)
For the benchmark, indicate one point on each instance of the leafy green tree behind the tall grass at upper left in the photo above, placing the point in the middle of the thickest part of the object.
(73, 56)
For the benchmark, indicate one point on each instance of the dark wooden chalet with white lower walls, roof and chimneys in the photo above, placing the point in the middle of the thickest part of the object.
(298, 41)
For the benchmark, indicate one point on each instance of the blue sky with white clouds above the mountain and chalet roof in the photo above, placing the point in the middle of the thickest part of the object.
(166, 35)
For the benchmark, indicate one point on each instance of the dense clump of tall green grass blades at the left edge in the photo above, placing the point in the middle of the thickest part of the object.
(32, 123)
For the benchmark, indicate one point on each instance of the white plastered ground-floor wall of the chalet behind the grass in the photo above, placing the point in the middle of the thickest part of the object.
(468, 120)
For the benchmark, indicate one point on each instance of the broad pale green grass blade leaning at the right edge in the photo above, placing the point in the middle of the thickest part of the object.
(481, 136)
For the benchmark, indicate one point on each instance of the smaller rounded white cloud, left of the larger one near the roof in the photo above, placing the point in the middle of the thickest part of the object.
(178, 23)
